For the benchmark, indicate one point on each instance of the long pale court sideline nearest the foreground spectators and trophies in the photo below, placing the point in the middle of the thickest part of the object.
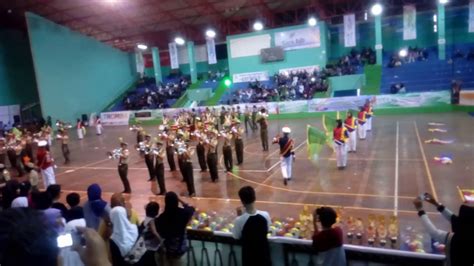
(130, 196)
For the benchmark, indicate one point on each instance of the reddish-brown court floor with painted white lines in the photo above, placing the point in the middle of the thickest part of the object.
(391, 167)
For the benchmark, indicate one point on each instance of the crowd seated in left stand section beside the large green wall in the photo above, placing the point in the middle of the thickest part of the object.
(154, 97)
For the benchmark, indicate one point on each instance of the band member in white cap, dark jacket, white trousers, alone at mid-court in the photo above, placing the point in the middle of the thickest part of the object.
(286, 154)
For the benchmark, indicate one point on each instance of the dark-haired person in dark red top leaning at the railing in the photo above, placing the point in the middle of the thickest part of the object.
(328, 240)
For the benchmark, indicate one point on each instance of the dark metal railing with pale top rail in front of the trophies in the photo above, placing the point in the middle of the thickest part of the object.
(220, 249)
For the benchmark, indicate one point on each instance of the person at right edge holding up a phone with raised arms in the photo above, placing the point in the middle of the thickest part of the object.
(458, 242)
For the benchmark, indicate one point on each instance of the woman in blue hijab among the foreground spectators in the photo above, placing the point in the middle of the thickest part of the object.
(95, 208)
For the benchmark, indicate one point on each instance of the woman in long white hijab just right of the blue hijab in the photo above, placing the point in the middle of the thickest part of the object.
(124, 235)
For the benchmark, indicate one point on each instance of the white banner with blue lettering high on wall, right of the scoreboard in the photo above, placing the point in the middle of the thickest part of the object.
(298, 39)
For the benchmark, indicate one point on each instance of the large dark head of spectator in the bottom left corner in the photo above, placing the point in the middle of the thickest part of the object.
(25, 239)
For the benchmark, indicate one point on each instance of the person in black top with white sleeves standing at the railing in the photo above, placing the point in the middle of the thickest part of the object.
(251, 227)
